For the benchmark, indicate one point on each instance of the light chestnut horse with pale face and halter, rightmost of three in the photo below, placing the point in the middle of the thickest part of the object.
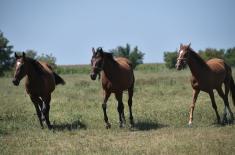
(207, 76)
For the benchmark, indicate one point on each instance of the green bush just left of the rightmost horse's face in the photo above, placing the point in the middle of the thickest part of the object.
(170, 59)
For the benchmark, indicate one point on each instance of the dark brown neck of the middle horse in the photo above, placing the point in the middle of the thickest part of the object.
(110, 69)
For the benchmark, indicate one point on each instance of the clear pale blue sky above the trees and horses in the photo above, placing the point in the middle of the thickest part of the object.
(68, 29)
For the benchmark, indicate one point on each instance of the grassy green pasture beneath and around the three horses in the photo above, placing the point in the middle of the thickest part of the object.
(160, 106)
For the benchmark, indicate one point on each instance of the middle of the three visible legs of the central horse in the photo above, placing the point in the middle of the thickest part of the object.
(120, 108)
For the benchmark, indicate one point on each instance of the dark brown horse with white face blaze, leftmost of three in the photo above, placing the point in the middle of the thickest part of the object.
(40, 83)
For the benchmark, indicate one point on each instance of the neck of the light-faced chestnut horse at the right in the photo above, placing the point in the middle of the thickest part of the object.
(197, 65)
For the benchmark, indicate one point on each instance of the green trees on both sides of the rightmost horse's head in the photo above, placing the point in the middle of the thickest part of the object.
(228, 55)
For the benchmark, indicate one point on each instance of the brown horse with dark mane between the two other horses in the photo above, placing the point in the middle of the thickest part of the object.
(117, 75)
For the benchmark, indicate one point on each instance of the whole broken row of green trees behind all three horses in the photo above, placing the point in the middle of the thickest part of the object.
(133, 54)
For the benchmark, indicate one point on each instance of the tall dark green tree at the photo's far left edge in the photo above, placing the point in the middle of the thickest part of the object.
(6, 60)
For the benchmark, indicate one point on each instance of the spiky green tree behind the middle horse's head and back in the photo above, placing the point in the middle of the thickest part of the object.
(135, 55)
